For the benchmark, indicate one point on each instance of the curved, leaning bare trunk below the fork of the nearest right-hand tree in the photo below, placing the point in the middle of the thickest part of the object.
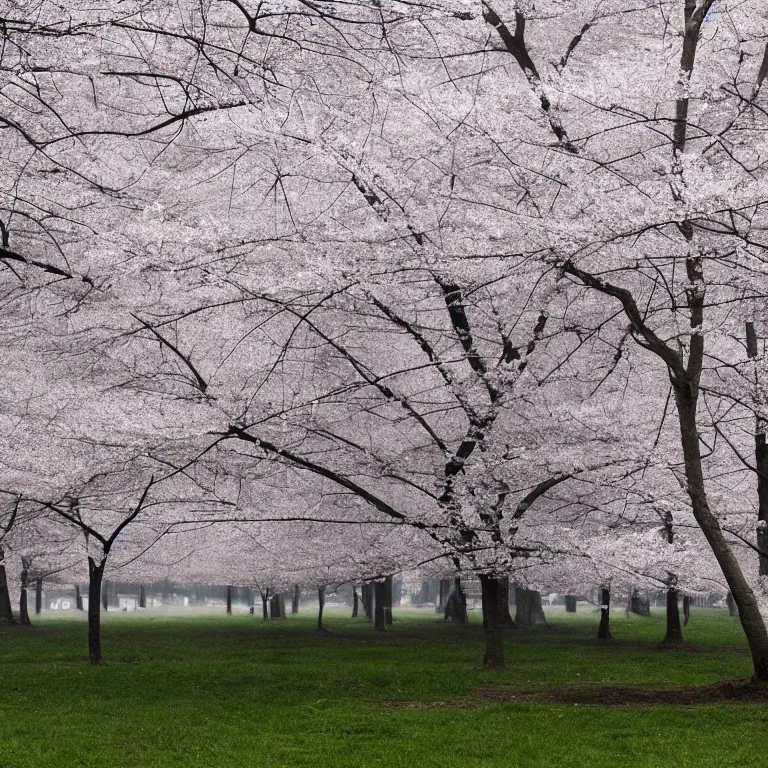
(749, 613)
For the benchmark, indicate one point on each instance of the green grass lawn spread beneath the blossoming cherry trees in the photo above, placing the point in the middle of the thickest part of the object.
(211, 690)
